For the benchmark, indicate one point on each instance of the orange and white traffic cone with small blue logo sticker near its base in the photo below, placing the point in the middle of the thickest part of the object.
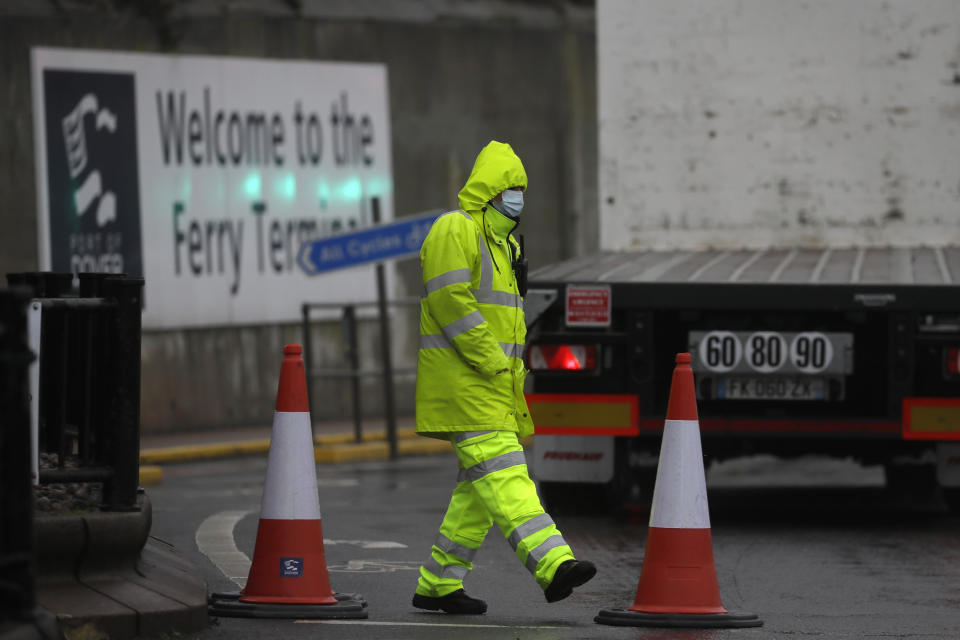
(288, 577)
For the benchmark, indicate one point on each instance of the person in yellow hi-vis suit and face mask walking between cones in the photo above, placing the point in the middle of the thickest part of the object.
(470, 375)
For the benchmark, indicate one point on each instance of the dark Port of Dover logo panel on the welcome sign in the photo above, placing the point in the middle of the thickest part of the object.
(92, 175)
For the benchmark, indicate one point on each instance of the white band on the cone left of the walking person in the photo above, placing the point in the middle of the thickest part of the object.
(290, 488)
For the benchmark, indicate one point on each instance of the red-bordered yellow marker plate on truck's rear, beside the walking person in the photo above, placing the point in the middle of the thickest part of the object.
(585, 414)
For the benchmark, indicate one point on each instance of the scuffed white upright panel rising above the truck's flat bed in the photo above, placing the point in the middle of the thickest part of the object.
(778, 123)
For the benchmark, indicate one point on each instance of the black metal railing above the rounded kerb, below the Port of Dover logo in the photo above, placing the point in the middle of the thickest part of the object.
(89, 381)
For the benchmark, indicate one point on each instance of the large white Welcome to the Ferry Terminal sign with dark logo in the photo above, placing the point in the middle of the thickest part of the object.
(206, 174)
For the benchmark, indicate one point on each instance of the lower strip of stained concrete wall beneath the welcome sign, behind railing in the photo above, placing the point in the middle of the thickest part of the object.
(205, 378)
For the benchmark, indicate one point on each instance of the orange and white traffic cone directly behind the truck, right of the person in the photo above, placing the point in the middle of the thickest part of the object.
(678, 581)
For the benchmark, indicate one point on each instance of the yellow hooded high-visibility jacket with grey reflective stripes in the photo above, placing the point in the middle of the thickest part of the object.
(471, 312)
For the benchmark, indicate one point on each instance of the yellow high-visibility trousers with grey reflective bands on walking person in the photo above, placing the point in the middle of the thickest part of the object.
(493, 485)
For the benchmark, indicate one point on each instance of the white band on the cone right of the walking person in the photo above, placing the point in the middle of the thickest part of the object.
(680, 495)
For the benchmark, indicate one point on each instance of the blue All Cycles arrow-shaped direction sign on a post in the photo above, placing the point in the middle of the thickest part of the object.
(396, 239)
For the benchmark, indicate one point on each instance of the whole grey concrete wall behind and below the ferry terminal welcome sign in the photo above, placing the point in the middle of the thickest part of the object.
(460, 72)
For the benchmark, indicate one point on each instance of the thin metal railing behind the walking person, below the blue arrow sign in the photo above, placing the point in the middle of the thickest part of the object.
(353, 371)
